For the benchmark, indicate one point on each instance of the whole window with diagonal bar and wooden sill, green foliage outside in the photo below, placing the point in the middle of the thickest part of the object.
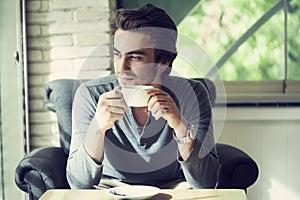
(254, 44)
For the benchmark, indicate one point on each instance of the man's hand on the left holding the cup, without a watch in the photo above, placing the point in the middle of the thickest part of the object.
(111, 107)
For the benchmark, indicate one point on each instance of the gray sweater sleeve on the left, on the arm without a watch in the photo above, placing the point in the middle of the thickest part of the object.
(82, 171)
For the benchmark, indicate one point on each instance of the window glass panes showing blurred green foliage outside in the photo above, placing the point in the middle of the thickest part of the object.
(216, 25)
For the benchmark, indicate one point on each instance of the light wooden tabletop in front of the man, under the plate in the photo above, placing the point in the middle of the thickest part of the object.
(196, 194)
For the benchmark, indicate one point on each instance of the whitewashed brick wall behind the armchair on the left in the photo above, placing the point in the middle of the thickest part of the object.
(65, 39)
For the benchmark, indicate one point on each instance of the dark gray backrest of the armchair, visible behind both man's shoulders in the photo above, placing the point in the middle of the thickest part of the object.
(59, 98)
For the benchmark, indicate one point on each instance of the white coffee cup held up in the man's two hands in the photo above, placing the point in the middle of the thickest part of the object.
(136, 95)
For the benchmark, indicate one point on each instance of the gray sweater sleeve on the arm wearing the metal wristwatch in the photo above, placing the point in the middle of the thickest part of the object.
(201, 169)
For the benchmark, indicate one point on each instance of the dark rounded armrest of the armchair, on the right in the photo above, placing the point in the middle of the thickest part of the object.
(238, 170)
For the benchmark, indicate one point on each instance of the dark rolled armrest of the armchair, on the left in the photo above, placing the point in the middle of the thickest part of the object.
(42, 169)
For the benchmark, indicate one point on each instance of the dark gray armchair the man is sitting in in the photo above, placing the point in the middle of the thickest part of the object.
(45, 168)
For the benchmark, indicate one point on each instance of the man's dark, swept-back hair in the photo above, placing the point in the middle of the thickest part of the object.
(152, 17)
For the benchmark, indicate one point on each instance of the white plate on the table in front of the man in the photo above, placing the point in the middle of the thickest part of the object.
(133, 192)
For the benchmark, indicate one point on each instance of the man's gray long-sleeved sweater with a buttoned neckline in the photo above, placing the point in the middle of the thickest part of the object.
(149, 154)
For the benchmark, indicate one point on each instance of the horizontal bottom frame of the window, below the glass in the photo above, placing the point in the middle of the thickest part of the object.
(260, 92)
